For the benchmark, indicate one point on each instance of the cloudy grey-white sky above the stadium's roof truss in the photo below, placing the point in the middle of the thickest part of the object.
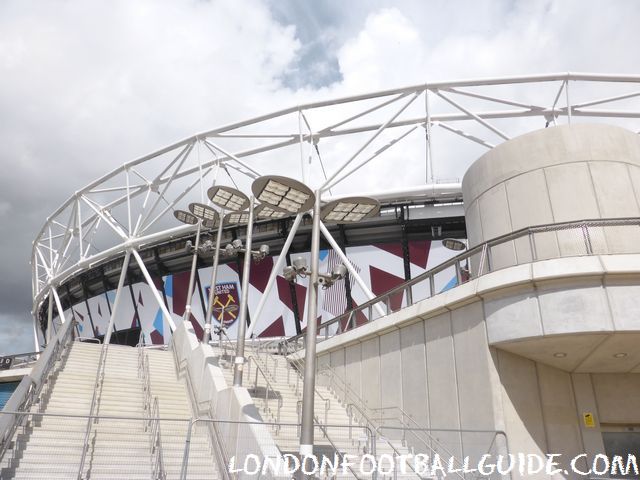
(86, 85)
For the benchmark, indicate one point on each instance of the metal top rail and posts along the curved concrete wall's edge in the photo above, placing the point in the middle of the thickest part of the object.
(484, 250)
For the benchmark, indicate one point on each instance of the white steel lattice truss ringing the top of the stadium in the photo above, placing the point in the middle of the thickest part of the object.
(323, 144)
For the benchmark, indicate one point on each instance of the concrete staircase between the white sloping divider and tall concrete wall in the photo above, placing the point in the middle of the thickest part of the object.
(272, 376)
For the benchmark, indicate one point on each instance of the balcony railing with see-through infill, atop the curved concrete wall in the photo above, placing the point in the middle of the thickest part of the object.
(585, 237)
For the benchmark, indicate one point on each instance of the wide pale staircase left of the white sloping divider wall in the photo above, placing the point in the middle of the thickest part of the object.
(51, 446)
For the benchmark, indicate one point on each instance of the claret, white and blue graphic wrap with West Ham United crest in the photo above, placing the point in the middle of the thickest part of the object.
(381, 267)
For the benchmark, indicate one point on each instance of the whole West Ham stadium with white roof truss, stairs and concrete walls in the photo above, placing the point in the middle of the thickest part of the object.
(237, 293)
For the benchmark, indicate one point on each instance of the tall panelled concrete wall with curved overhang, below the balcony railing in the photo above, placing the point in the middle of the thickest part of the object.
(484, 356)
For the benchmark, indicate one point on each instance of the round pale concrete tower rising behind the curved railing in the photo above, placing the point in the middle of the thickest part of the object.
(554, 175)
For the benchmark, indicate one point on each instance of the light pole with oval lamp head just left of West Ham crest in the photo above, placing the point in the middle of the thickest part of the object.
(233, 200)
